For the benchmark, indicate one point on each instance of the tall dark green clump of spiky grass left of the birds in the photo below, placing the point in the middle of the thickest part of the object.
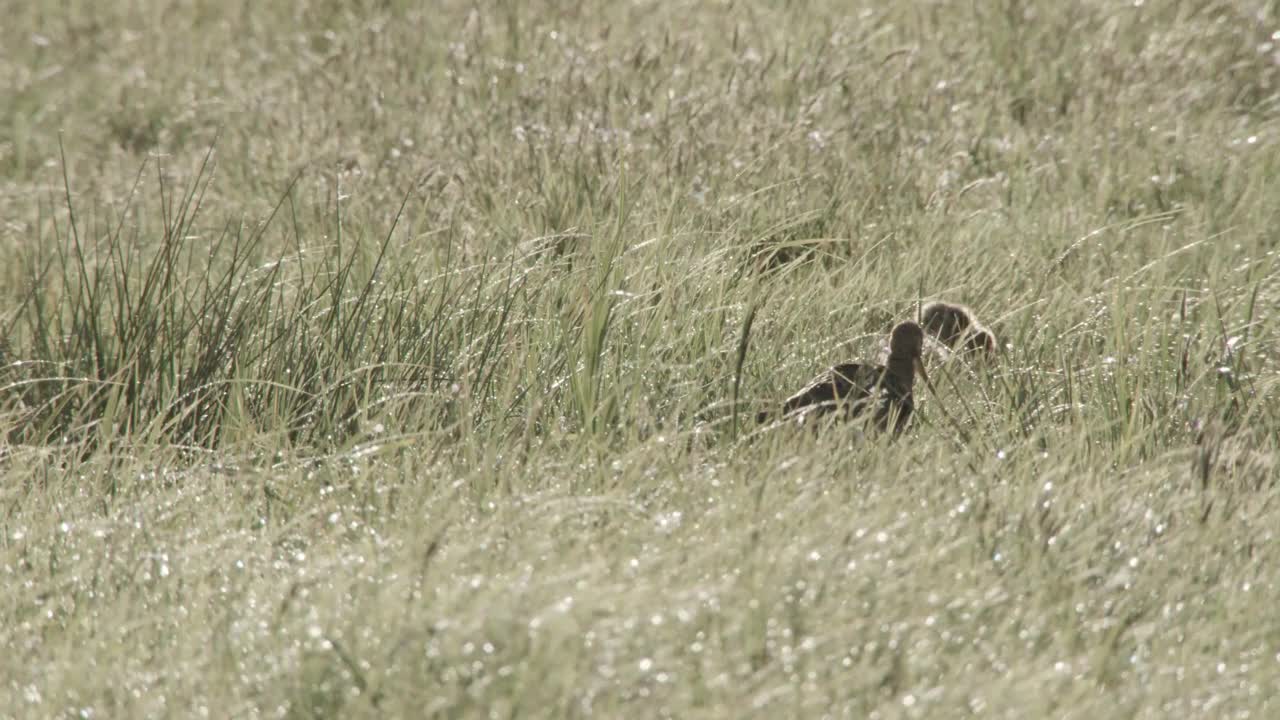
(185, 338)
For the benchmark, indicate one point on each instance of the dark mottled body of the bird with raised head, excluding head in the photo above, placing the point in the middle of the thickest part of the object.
(851, 389)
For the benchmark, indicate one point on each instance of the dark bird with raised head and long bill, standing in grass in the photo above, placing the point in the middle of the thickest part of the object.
(853, 388)
